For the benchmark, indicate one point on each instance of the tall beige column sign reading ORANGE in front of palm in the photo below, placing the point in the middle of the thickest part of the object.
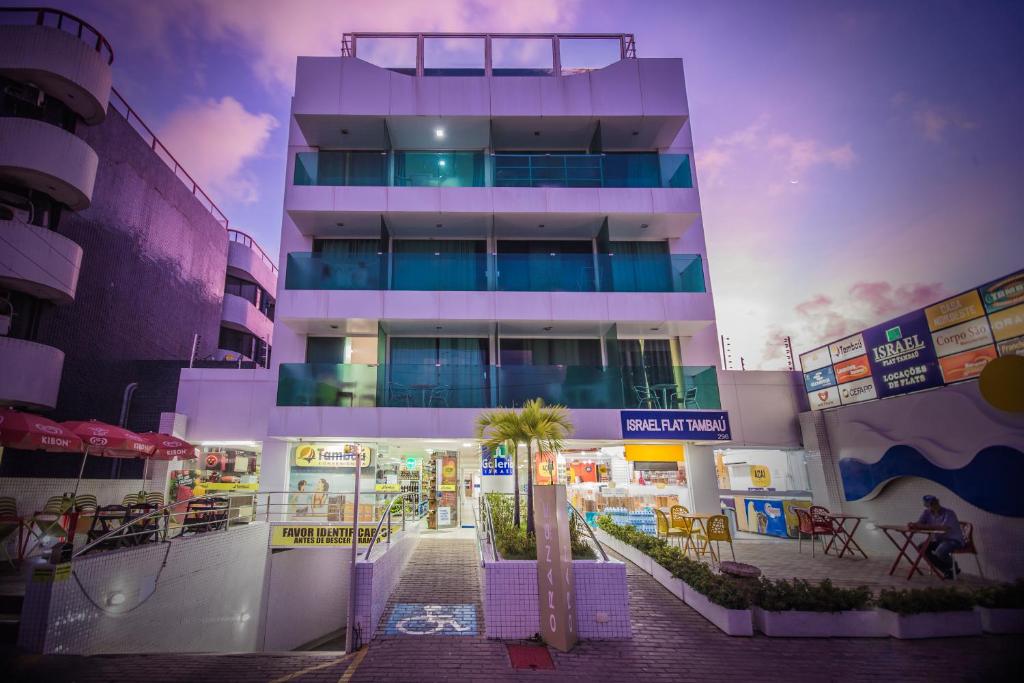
(557, 589)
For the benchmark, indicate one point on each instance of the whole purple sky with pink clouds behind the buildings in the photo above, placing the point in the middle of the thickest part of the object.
(857, 160)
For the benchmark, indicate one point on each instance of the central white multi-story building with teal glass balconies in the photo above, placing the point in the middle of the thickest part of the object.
(455, 240)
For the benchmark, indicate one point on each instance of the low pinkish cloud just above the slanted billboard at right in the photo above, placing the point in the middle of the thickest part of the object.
(823, 319)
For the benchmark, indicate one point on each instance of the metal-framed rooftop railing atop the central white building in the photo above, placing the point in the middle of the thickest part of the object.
(626, 41)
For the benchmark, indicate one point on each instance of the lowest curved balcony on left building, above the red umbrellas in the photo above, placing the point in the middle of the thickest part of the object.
(31, 373)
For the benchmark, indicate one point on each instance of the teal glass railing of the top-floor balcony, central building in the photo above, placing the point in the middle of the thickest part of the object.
(475, 169)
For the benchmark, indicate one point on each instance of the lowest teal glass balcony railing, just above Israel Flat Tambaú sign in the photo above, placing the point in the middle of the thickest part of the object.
(492, 387)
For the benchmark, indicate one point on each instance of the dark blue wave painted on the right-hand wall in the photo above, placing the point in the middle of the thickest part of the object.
(990, 482)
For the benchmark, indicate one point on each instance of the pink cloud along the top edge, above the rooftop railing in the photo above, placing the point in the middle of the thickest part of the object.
(271, 34)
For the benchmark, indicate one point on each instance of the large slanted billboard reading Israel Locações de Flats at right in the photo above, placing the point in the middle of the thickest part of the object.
(950, 341)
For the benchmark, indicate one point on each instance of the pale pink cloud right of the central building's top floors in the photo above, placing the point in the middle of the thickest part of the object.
(740, 157)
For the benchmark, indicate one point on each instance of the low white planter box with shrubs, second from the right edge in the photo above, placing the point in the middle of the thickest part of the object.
(929, 613)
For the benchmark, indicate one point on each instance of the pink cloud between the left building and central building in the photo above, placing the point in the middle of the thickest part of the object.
(215, 140)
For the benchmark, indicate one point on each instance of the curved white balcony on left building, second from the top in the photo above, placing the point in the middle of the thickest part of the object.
(49, 159)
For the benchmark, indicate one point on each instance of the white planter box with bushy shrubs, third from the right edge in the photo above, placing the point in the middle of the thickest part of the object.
(801, 610)
